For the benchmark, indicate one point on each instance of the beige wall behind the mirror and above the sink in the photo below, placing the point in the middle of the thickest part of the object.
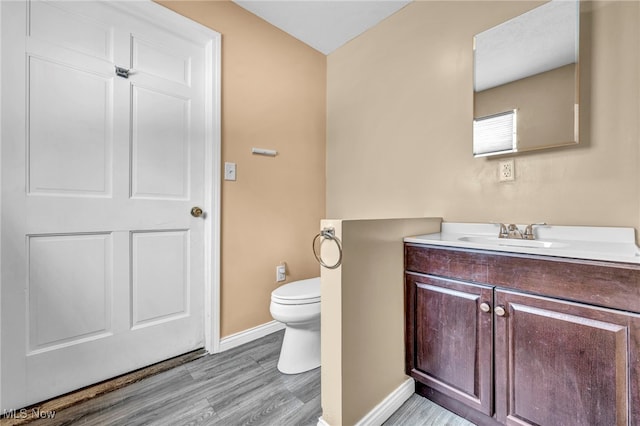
(399, 101)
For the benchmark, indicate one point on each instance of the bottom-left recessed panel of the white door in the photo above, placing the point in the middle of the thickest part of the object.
(79, 304)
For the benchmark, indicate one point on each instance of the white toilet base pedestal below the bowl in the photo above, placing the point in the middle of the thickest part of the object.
(300, 350)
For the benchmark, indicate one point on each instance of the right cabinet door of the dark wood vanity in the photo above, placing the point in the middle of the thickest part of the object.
(562, 363)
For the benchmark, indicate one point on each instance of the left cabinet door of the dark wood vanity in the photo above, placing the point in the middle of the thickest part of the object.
(449, 338)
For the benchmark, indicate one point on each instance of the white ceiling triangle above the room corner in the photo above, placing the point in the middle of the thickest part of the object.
(324, 25)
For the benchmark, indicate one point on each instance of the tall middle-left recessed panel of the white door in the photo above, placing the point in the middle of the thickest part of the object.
(83, 101)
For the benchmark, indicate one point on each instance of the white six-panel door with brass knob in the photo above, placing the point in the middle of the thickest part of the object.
(103, 265)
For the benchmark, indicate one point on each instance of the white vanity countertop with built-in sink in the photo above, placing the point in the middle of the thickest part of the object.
(577, 242)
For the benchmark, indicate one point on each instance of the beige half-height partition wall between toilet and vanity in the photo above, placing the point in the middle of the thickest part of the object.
(363, 315)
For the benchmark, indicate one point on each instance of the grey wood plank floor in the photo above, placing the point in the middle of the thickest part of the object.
(241, 386)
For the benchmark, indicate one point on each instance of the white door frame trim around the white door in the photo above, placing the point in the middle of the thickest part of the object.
(187, 28)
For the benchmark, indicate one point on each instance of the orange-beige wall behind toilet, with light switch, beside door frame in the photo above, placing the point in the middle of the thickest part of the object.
(273, 96)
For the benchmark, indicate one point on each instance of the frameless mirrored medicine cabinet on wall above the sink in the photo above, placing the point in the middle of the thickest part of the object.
(526, 81)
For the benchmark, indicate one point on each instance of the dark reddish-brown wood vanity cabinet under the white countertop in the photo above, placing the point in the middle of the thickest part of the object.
(483, 343)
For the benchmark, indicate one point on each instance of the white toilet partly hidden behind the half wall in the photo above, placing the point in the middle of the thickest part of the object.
(297, 305)
